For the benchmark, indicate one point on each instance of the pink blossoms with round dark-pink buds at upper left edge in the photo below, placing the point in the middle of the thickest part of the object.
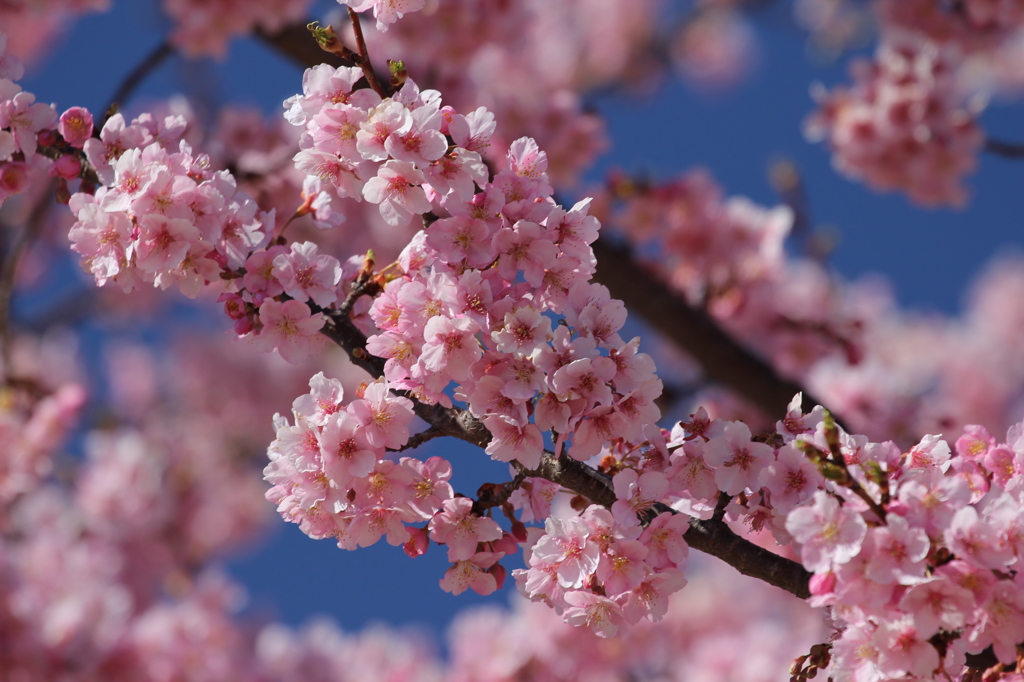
(35, 142)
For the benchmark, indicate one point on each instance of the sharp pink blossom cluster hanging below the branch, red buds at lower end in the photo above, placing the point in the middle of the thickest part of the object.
(330, 475)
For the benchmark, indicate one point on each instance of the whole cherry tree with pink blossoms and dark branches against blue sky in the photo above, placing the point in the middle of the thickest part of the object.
(406, 258)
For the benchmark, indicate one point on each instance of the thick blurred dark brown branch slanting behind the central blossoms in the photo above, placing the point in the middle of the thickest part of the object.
(723, 360)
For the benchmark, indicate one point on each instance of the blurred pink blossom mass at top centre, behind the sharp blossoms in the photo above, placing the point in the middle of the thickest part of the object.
(528, 65)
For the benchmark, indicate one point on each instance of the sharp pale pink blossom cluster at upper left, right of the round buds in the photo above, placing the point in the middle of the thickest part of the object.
(162, 218)
